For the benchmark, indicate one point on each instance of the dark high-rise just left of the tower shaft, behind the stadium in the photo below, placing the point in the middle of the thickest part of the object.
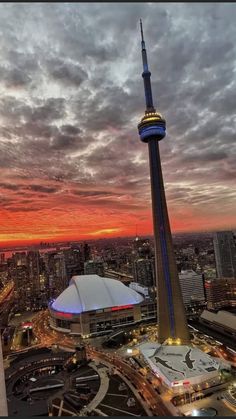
(144, 272)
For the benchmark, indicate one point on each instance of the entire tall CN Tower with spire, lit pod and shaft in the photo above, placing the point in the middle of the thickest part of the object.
(173, 327)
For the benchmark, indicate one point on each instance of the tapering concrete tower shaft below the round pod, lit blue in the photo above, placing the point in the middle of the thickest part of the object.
(171, 311)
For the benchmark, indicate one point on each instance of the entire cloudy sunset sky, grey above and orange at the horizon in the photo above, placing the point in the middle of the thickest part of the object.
(72, 165)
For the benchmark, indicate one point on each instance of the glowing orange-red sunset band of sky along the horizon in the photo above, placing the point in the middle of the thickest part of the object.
(79, 223)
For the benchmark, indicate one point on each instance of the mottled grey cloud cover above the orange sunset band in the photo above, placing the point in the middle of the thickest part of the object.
(83, 65)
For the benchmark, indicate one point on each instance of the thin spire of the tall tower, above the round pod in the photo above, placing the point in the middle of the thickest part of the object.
(146, 74)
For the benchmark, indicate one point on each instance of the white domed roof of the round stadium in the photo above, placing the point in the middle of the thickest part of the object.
(92, 292)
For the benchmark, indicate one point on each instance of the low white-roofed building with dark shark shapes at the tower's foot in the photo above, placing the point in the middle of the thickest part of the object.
(182, 368)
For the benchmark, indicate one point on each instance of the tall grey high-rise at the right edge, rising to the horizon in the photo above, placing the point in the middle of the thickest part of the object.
(225, 254)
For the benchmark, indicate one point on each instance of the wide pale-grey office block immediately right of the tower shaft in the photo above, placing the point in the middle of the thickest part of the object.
(192, 288)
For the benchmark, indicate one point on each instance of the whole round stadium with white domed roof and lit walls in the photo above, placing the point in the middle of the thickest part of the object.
(92, 305)
